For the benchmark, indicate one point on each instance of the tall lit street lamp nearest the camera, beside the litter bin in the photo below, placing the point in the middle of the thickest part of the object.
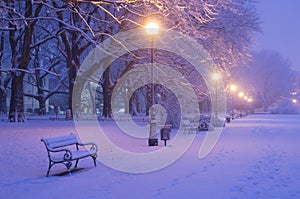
(152, 30)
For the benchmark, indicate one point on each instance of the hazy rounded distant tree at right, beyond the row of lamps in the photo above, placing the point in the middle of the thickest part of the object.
(268, 77)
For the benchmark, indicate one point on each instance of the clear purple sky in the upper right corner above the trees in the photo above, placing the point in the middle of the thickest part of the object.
(281, 28)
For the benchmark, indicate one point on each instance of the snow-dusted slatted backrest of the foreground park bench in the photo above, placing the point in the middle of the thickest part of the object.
(61, 141)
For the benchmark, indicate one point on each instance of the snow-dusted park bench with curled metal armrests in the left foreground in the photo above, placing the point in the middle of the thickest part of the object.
(65, 149)
